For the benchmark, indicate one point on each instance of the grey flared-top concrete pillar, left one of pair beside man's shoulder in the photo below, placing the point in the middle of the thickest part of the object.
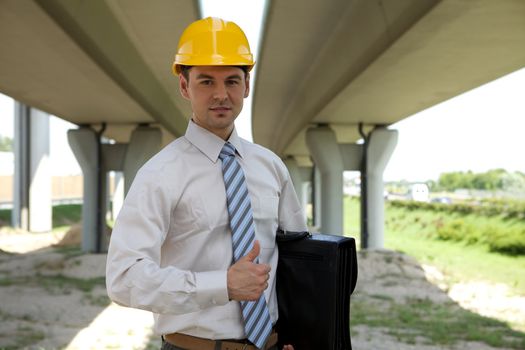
(84, 144)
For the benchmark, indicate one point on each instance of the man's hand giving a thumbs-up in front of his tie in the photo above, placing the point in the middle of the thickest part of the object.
(246, 279)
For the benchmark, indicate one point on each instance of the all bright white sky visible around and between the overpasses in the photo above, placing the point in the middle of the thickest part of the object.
(478, 130)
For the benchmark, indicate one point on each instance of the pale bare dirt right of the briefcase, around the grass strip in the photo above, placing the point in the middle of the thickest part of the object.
(401, 278)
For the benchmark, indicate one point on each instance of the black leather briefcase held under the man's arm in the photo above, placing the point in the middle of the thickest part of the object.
(316, 275)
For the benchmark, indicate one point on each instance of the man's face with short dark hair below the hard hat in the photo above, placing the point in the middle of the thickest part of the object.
(216, 94)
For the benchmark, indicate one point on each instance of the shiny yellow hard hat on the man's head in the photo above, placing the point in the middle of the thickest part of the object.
(213, 42)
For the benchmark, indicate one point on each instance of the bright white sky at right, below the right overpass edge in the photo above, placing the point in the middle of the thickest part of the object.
(479, 130)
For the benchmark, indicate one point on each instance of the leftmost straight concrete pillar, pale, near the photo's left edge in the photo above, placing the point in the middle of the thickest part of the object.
(32, 208)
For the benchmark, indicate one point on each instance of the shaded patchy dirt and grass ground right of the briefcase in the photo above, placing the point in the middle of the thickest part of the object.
(396, 307)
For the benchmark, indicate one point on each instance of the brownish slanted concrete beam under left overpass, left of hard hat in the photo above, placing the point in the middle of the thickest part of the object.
(107, 43)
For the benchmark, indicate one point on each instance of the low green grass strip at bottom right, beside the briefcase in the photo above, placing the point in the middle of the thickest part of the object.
(438, 324)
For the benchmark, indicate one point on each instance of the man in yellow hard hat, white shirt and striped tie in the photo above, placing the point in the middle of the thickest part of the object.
(195, 240)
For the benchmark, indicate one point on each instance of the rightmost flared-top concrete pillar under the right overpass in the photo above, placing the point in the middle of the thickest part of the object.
(381, 145)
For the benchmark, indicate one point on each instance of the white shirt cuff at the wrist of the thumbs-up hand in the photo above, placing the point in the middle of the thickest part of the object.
(212, 288)
